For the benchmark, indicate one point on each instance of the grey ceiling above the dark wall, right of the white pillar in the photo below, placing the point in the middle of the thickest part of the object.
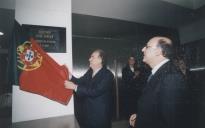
(166, 13)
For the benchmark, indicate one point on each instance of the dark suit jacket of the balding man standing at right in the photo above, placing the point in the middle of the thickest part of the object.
(164, 102)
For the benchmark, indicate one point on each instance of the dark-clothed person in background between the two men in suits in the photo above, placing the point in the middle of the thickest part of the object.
(133, 79)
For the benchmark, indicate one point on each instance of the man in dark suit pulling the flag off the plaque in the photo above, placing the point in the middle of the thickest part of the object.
(95, 87)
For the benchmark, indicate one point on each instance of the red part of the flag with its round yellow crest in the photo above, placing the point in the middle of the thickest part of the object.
(41, 74)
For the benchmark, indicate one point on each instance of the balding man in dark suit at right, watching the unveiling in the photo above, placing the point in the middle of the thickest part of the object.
(164, 102)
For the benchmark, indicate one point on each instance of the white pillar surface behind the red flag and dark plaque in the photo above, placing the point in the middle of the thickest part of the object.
(28, 106)
